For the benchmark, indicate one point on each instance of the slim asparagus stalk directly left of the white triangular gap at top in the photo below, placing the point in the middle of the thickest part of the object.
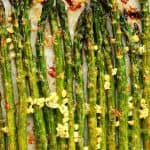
(68, 73)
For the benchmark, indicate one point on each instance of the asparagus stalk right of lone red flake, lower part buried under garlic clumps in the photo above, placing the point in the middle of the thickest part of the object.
(59, 60)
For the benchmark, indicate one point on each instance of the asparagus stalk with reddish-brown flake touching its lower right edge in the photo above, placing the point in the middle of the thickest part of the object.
(110, 94)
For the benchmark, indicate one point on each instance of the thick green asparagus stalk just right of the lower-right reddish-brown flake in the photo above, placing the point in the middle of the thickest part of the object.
(123, 94)
